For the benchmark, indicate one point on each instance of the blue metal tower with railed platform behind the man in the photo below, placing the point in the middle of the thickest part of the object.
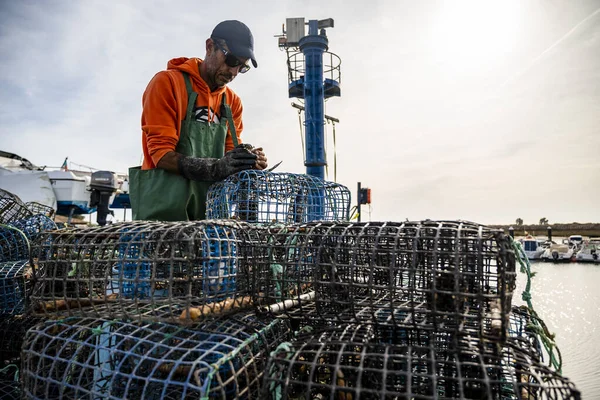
(314, 76)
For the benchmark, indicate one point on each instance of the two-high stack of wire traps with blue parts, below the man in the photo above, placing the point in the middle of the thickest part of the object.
(146, 310)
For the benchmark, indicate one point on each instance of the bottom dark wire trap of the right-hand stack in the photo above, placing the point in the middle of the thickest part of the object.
(335, 369)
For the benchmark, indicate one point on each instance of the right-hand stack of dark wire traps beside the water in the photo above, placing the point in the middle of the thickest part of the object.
(397, 310)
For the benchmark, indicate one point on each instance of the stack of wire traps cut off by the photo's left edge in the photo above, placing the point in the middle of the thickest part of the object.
(20, 227)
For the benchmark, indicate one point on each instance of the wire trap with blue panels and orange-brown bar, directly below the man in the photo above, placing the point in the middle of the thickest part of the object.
(162, 271)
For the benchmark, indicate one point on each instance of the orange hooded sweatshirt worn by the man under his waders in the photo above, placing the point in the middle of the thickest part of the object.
(165, 104)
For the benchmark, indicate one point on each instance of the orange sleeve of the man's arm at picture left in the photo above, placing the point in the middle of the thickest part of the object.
(160, 119)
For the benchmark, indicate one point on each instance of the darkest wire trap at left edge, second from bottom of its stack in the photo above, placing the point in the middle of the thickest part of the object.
(12, 333)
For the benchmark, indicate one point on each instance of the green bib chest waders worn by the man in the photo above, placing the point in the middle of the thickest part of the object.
(157, 194)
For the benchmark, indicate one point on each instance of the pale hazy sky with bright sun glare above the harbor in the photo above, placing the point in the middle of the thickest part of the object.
(486, 111)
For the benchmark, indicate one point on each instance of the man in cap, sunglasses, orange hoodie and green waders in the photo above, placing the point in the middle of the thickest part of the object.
(191, 123)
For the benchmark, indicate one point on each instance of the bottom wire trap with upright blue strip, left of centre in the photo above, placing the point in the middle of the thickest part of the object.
(85, 358)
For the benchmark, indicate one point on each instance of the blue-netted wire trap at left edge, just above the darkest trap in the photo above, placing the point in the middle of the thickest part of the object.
(14, 284)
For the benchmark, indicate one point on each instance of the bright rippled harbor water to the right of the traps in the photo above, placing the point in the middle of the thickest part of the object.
(567, 297)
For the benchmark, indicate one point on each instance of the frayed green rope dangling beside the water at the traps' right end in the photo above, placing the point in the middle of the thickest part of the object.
(537, 326)
